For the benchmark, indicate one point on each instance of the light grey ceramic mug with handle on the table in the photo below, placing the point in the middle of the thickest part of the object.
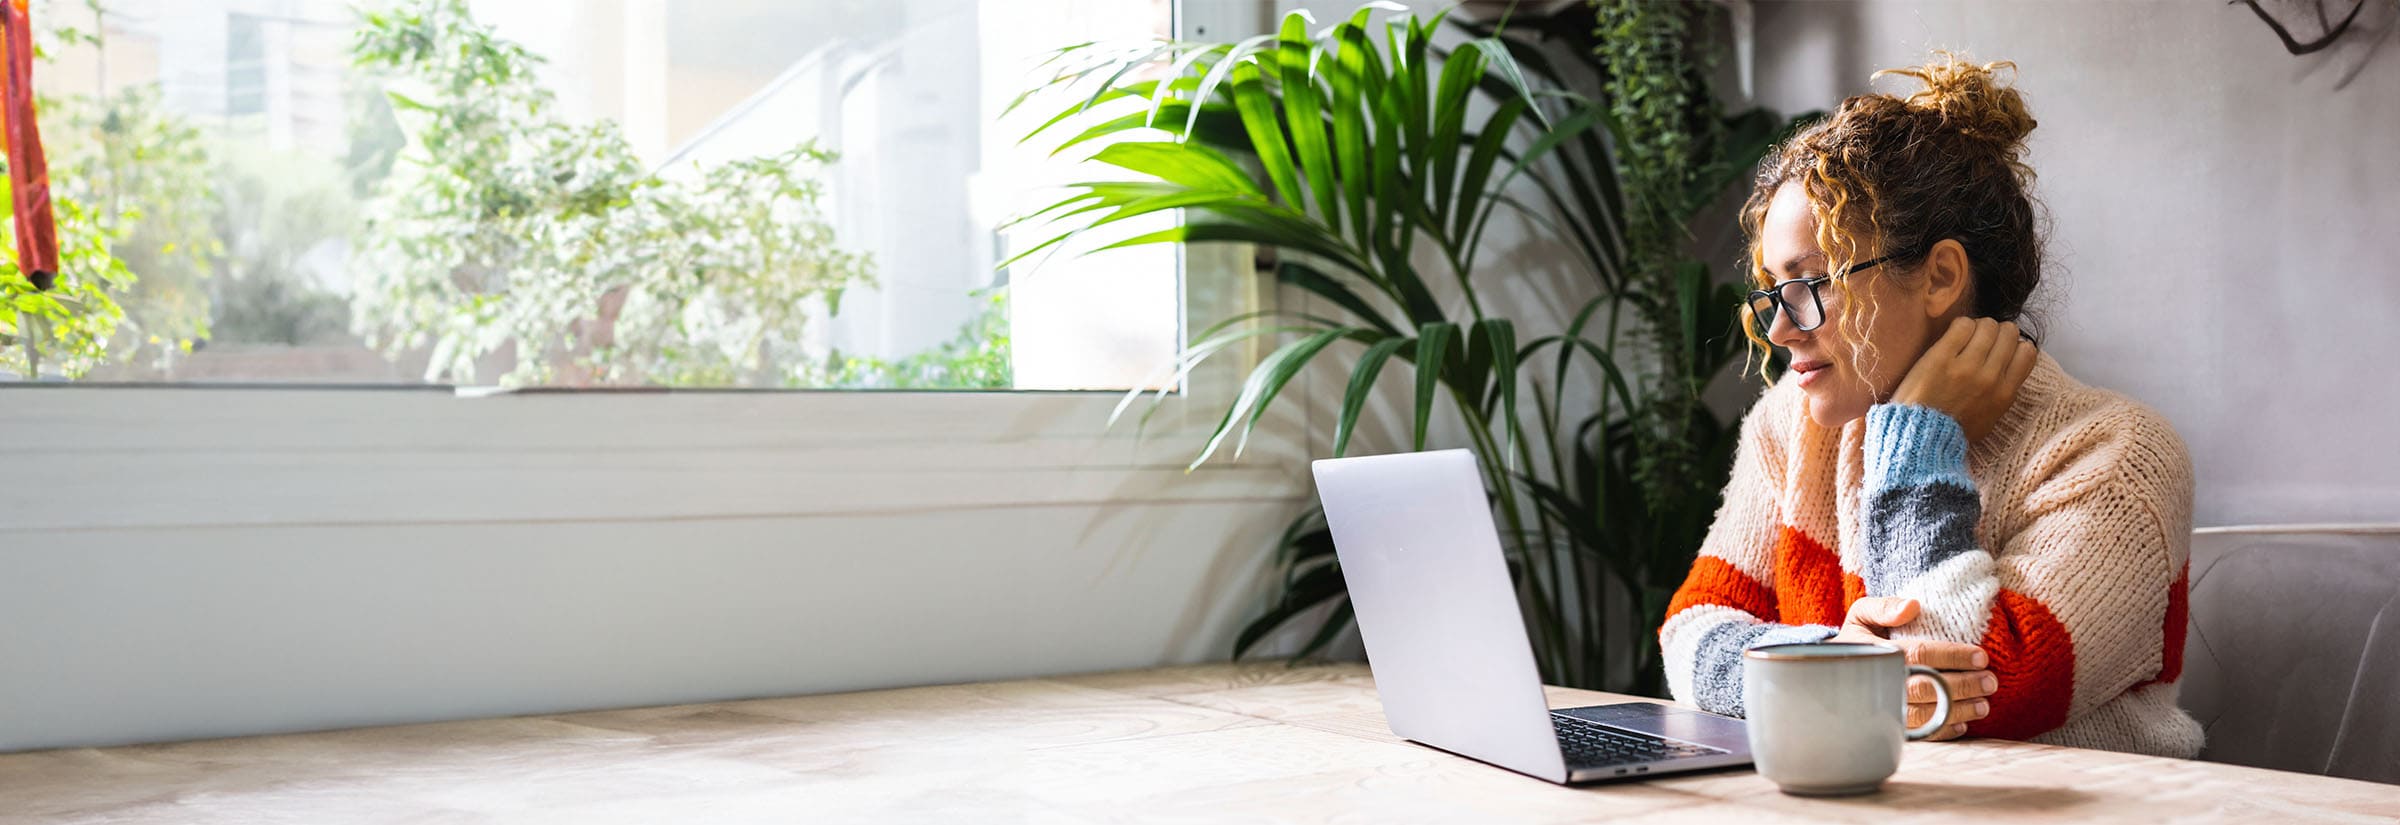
(1830, 718)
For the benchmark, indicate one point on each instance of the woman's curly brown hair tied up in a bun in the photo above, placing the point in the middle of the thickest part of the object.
(1902, 174)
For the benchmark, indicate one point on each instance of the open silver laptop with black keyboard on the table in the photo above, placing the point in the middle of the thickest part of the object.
(1448, 646)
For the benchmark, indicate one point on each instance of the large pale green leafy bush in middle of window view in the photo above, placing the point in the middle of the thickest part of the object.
(512, 236)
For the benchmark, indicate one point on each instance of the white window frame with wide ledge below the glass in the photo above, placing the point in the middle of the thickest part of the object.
(268, 454)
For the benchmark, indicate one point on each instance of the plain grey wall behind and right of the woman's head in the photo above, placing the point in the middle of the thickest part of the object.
(2224, 219)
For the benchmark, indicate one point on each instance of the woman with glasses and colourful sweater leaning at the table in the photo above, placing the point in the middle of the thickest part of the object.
(1924, 474)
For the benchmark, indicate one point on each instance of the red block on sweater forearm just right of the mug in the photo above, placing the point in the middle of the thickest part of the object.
(2036, 668)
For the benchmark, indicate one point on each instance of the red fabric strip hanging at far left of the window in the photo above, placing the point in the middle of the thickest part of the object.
(30, 179)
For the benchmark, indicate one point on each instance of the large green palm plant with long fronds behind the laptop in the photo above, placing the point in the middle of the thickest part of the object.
(1374, 164)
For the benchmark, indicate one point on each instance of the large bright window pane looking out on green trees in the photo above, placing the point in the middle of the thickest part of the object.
(577, 193)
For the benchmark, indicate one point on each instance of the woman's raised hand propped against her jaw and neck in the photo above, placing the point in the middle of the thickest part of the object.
(1972, 375)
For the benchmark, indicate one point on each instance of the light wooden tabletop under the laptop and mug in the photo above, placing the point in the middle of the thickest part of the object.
(1192, 745)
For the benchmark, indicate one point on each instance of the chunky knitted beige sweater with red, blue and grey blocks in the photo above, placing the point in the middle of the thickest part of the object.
(2058, 543)
